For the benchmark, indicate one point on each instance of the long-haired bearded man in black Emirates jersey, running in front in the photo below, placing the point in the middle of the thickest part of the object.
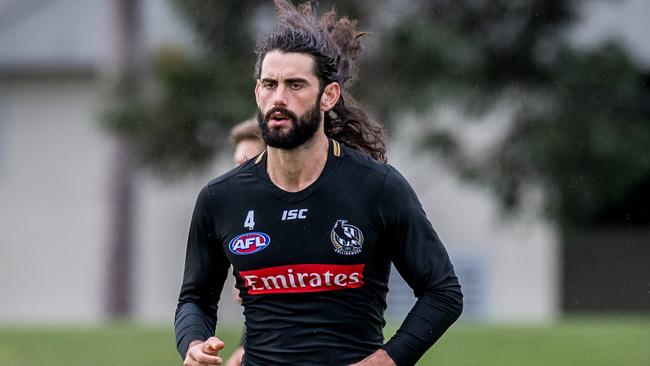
(312, 225)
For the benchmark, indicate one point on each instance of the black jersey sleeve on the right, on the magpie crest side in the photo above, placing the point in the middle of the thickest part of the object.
(421, 259)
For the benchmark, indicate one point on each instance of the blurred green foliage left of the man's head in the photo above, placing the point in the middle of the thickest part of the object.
(180, 119)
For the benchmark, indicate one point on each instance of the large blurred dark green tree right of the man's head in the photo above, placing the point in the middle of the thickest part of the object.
(580, 122)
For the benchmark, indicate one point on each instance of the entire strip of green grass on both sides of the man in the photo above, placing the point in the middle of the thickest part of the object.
(576, 342)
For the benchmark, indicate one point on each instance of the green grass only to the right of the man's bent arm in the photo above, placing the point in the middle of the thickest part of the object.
(575, 343)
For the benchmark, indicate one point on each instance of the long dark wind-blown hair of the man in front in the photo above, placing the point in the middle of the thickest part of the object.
(334, 45)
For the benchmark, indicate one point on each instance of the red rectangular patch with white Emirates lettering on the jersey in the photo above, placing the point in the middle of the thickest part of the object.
(302, 278)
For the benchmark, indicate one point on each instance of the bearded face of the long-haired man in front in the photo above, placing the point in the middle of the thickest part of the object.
(288, 99)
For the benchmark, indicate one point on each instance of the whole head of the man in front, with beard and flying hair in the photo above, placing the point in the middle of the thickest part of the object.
(302, 70)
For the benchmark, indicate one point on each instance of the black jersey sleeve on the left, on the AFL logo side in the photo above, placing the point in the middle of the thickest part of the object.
(206, 268)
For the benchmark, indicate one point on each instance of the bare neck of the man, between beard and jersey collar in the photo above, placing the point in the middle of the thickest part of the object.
(294, 170)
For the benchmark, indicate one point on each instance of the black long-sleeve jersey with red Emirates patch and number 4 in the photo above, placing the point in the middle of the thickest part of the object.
(312, 266)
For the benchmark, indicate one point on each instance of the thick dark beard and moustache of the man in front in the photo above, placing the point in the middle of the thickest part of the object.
(302, 128)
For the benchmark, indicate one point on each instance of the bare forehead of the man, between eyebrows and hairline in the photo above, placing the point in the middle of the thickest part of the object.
(277, 64)
